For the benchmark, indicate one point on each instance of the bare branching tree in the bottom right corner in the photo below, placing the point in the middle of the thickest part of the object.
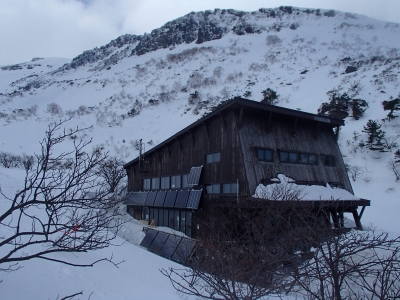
(355, 265)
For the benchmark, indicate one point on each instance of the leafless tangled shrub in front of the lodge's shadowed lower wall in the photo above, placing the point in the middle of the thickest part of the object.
(246, 251)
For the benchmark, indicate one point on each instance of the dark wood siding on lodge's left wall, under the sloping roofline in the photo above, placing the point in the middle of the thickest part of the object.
(219, 134)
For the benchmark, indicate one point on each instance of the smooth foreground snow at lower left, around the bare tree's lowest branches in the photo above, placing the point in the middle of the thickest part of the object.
(137, 277)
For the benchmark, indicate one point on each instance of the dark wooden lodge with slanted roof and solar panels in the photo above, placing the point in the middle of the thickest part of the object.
(225, 155)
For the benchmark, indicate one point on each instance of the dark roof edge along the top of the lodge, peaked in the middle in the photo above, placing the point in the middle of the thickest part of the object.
(255, 107)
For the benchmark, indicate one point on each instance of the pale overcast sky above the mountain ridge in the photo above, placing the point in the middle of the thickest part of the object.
(65, 28)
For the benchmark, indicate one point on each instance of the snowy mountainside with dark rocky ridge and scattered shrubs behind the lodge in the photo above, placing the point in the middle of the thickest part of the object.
(154, 85)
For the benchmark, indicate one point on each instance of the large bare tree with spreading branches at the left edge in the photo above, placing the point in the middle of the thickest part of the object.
(63, 205)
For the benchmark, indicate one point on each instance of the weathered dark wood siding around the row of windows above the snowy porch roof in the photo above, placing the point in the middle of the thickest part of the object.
(280, 136)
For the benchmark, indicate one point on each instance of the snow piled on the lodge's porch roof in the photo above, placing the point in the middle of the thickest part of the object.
(287, 189)
